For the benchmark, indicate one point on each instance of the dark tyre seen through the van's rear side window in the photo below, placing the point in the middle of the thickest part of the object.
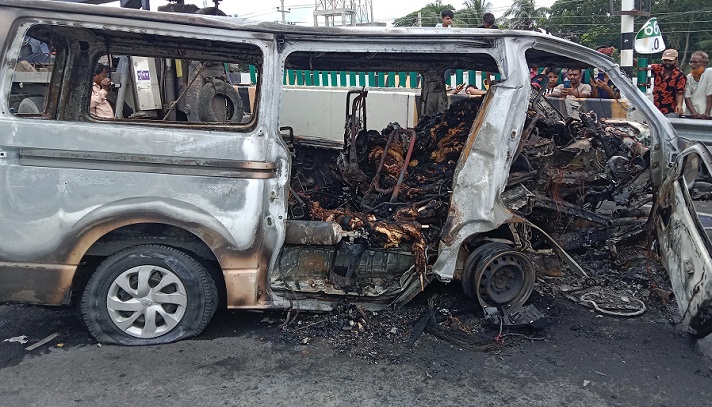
(219, 102)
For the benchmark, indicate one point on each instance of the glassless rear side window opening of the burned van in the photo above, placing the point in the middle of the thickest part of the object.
(151, 78)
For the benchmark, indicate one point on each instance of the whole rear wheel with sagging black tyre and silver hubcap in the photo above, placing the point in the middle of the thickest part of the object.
(148, 295)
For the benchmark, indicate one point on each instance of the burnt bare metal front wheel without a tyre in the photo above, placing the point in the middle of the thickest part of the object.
(497, 275)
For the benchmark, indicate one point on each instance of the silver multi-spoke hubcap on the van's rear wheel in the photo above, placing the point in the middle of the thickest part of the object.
(146, 301)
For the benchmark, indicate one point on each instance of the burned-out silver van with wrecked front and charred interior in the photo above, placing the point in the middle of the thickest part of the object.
(213, 181)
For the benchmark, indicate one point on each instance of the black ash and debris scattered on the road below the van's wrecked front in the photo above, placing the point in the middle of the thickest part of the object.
(458, 320)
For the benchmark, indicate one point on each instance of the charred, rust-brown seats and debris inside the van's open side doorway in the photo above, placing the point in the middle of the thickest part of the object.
(393, 185)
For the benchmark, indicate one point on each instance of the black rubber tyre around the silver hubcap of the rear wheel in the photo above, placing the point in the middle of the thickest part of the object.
(200, 289)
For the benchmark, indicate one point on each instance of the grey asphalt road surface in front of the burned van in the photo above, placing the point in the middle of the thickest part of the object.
(245, 359)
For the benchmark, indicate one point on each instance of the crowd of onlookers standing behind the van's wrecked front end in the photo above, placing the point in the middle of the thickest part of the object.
(673, 92)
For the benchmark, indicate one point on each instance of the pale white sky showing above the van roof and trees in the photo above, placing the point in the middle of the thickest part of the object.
(301, 11)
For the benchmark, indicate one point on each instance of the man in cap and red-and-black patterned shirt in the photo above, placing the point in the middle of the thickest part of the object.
(669, 87)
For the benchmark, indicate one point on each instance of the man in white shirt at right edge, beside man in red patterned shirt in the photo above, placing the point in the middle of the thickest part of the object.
(698, 92)
